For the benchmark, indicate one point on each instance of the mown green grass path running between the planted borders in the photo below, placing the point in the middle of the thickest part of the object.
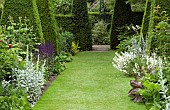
(90, 82)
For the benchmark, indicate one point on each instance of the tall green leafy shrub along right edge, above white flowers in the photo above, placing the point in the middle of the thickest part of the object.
(160, 38)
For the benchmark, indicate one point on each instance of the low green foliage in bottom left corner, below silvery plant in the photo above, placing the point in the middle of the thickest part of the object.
(14, 98)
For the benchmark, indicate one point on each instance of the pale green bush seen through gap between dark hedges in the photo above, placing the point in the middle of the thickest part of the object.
(100, 34)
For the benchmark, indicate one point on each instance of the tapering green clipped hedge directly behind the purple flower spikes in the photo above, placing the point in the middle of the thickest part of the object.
(48, 21)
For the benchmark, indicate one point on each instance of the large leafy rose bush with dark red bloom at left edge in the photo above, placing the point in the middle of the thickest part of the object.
(14, 39)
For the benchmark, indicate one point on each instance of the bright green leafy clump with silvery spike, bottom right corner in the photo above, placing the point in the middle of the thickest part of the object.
(156, 91)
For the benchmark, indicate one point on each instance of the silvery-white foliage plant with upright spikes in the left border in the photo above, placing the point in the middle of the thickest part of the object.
(31, 78)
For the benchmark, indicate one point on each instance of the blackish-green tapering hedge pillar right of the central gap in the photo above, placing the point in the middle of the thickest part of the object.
(122, 15)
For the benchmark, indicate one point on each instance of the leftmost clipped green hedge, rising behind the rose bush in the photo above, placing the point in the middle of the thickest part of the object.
(22, 8)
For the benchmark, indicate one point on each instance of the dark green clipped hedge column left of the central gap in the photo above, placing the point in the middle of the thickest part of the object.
(82, 31)
